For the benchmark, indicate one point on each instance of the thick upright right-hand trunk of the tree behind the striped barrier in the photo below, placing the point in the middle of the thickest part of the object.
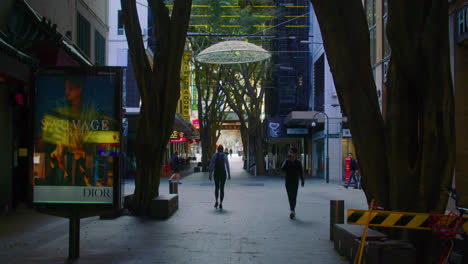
(420, 106)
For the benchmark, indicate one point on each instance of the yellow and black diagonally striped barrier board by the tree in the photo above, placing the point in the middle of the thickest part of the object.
(393, 219)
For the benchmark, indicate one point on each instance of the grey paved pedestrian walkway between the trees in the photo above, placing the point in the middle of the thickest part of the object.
(254, 227)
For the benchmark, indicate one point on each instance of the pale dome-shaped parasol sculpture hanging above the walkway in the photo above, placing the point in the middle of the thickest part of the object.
(233, 52)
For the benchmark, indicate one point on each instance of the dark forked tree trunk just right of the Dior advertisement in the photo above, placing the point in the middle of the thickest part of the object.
(159, 88)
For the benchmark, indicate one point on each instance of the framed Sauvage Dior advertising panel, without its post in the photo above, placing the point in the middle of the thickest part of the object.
(77, 135)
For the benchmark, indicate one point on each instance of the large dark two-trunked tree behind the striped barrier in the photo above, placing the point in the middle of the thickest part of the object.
(406, 160)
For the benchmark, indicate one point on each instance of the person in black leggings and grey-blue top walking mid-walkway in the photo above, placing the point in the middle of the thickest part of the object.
(220, 165)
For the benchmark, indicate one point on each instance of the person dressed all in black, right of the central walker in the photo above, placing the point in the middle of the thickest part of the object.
(293, 169)
